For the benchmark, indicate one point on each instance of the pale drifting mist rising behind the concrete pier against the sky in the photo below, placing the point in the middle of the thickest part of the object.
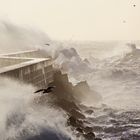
(19, 38)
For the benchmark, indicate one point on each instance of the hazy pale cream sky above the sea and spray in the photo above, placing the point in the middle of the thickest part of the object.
(77, 19)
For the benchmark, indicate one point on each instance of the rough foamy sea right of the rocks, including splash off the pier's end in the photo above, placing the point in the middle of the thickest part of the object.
(112, 70)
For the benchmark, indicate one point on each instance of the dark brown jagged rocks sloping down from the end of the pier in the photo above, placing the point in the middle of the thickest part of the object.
(65, 95)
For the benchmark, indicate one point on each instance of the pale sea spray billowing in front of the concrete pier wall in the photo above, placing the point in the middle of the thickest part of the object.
(22, 119)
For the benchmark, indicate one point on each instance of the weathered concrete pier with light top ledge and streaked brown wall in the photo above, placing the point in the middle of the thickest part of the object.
(28, 66)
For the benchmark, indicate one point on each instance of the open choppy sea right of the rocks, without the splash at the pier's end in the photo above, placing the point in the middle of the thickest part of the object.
(116, 78)
